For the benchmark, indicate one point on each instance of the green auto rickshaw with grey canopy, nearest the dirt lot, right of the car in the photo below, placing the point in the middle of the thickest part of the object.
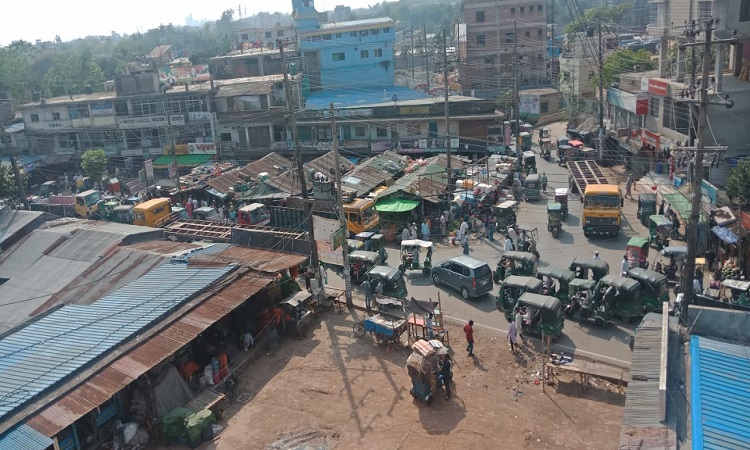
(546, 315)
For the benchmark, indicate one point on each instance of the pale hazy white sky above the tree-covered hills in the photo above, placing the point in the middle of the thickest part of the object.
(44, 19)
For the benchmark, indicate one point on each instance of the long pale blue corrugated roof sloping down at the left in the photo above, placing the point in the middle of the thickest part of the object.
(54, 347)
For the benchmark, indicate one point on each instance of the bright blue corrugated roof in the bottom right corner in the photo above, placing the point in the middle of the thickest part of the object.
(720, 394)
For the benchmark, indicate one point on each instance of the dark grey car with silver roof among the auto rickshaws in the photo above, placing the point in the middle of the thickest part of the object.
(470, 276)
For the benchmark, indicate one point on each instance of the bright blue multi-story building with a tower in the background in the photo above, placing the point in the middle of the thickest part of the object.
(344, 55)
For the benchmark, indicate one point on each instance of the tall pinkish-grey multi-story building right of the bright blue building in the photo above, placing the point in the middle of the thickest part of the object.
(496, 29)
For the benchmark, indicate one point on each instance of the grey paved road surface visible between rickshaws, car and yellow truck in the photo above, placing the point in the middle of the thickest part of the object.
(609, 342)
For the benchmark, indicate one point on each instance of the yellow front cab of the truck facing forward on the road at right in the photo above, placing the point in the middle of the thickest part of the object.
(602, 204)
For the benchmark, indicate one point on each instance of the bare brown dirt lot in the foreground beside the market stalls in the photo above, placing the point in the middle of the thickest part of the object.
(334, 391)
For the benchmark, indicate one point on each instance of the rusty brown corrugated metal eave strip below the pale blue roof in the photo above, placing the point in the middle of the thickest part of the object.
(135, 363)
